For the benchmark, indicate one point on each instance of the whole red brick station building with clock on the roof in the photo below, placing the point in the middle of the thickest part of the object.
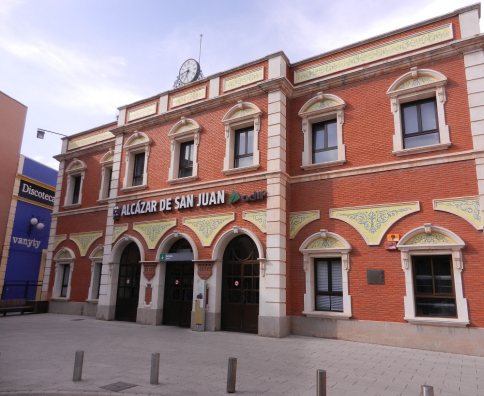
(339, 196)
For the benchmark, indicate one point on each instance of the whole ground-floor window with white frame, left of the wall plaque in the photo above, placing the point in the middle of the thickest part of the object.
(326, 265)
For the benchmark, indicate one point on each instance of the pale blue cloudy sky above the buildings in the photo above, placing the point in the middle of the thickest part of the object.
(74, 62)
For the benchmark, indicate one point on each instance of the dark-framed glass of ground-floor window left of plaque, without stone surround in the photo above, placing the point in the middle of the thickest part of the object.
(329, 285)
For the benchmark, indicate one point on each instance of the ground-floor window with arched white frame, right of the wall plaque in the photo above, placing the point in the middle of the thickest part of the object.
(433, 264)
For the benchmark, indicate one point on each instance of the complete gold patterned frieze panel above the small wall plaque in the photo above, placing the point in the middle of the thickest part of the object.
(372, 222)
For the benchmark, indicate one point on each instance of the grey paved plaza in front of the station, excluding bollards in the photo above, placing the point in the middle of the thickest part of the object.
(37, 356)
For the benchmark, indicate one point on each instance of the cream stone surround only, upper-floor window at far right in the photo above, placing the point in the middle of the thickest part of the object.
(416, 85)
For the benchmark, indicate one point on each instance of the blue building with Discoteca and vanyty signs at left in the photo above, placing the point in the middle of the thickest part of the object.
(26, 240)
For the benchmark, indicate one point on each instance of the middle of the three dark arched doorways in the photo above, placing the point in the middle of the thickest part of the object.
(178, 297)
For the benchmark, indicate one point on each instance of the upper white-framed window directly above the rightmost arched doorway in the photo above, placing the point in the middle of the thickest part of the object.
(242, 125)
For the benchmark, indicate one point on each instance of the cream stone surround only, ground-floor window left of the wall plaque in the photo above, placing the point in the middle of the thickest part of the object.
(332, 246)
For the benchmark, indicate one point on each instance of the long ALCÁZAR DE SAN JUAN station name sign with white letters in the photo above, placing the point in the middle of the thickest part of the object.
(186, 201)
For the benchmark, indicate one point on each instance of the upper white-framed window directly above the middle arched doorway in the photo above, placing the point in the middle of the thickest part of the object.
(184, 138)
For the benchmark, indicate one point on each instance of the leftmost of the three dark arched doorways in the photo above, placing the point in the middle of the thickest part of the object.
(128, 284)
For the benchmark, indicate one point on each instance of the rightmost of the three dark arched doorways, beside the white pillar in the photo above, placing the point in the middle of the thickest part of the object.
(240, 286)
